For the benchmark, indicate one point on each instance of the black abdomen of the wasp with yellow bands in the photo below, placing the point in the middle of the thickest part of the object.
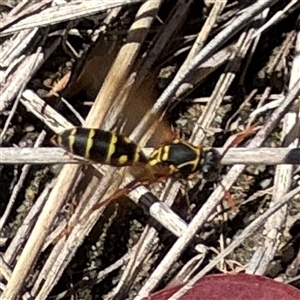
(100, 146)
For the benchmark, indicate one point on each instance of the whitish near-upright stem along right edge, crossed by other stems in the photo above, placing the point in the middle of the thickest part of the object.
(282, 183)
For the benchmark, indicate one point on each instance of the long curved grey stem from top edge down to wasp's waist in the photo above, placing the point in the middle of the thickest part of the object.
(240, 22)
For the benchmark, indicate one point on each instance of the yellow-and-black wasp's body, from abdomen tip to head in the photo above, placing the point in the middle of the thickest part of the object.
(180, 158)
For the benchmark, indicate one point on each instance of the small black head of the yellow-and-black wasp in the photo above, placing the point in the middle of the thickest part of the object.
(211, 165)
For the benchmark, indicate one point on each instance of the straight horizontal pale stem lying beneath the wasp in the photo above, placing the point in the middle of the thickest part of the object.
(253, 156)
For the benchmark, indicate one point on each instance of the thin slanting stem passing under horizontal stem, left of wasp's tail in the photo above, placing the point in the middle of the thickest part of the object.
(19, 184)
